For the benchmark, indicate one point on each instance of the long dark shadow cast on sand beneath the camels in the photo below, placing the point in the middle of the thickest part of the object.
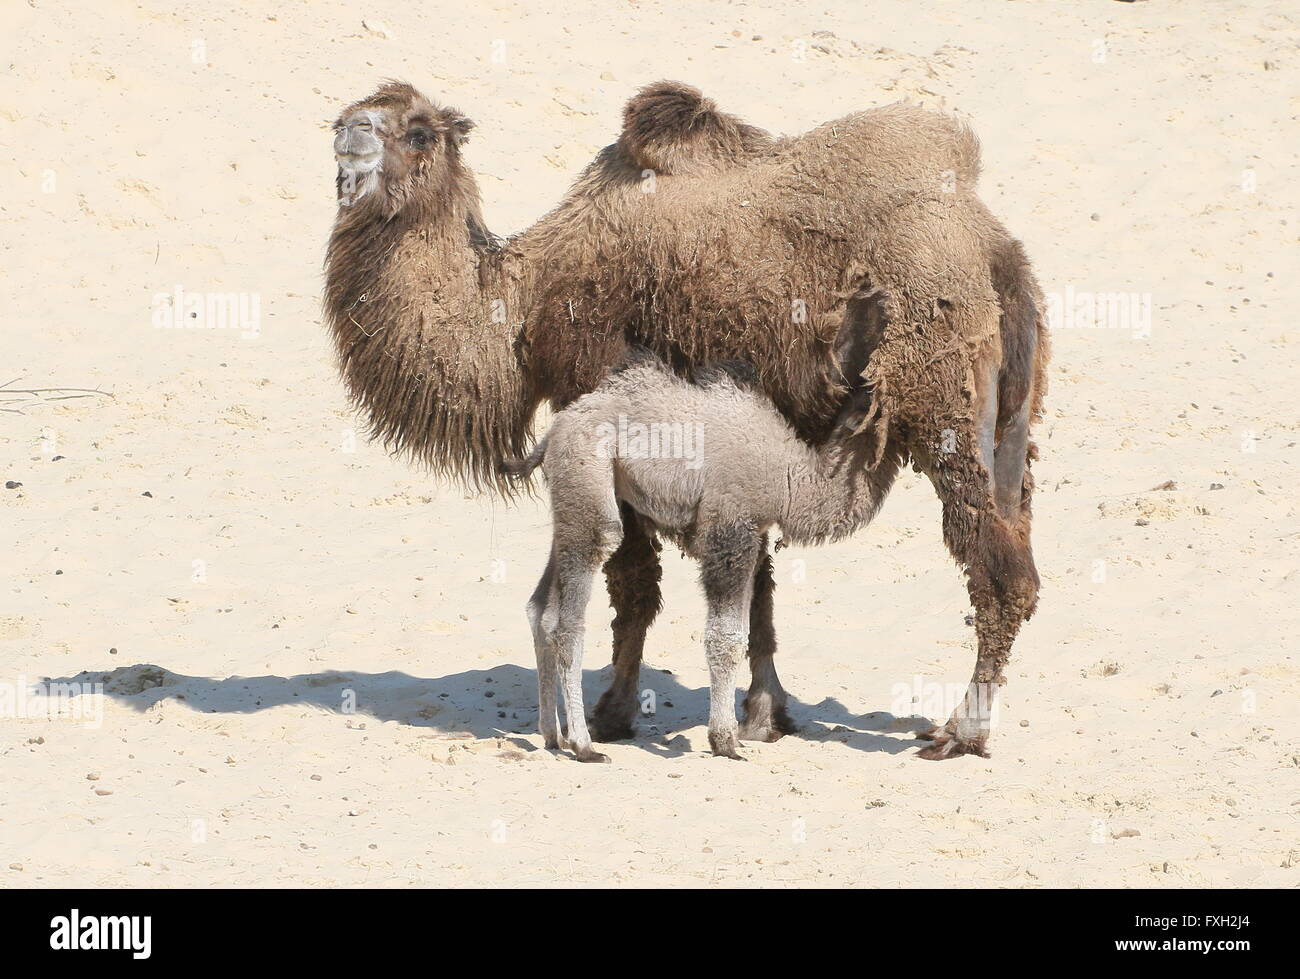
(482, 704)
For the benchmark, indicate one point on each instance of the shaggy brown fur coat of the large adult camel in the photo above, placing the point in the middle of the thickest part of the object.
(856, 254)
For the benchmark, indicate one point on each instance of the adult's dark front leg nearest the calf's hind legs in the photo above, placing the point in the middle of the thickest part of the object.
(632, 577)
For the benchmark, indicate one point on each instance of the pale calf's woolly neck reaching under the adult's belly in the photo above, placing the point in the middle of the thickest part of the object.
(833, 493)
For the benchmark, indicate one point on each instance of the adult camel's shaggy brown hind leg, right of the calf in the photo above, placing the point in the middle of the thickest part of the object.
(990, 536)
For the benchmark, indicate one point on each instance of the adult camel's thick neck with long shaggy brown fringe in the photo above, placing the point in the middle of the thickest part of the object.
(426, 327)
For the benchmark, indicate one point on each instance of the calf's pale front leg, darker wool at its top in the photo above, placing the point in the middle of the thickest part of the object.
(729, 560)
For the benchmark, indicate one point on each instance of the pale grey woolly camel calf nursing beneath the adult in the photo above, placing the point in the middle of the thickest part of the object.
(709, 463)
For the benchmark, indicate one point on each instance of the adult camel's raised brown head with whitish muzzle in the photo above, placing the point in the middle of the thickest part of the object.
(397, 146)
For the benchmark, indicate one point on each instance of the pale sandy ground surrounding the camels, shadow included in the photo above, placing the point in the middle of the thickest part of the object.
(131, 167)
